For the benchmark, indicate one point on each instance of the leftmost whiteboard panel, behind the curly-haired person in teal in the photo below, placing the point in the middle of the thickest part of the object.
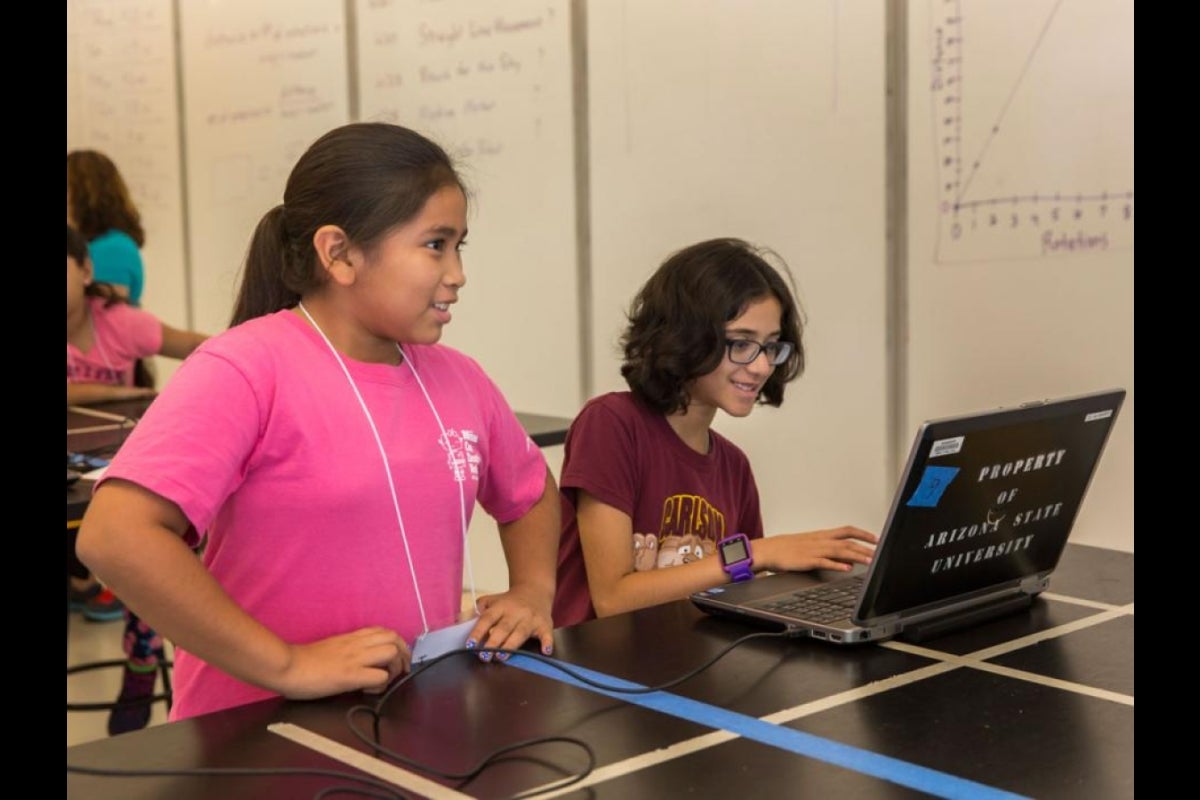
(123, 103)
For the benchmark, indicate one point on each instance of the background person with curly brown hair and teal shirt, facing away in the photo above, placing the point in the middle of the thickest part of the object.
(100, 207)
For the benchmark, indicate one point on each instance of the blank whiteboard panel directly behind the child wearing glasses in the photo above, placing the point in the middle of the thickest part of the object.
(766, 122)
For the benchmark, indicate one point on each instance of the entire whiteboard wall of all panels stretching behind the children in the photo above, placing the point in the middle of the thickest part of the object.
(691, 119)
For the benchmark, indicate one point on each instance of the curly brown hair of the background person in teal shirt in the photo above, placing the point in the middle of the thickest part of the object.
(99, 199)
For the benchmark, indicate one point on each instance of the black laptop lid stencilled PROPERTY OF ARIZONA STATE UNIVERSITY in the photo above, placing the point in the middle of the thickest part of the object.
(986, 501)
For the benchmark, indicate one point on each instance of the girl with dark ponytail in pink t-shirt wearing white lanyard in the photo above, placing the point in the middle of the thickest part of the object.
(334, 452)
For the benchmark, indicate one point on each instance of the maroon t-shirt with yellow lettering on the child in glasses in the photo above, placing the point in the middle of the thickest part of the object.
(681, 502)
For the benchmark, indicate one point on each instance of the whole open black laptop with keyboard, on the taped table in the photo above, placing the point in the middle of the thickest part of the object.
(979, 524)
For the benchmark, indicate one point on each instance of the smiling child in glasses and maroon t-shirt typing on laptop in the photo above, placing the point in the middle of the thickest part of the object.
(646, 483)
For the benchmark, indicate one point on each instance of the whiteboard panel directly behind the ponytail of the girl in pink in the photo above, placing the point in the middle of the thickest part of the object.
(262, 81)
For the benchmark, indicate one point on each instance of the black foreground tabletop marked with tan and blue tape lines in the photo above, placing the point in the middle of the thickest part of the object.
(1039, 703)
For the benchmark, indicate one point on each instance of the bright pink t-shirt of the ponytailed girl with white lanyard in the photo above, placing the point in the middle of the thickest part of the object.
(261, 441)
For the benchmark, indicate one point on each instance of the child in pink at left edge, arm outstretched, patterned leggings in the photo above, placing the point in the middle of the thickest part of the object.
(106, 340)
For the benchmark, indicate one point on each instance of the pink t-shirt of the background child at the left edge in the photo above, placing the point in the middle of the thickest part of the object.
(124, 334)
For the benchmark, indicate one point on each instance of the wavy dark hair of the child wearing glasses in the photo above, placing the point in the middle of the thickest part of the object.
(676, 330)
